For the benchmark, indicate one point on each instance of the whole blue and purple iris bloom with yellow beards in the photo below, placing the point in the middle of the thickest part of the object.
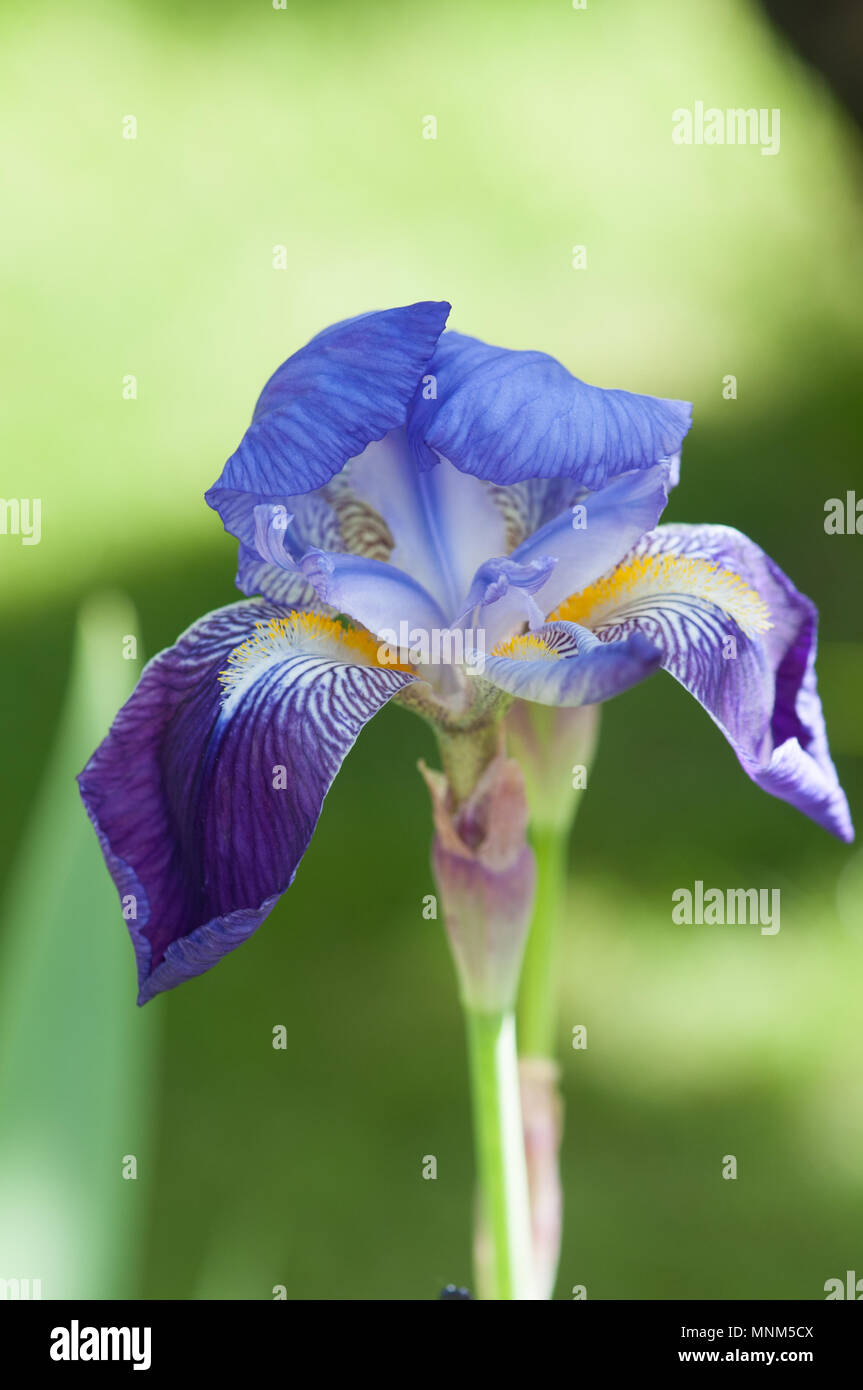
(426, 518)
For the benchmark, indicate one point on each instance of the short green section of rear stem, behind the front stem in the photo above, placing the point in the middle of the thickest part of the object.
(537, 999)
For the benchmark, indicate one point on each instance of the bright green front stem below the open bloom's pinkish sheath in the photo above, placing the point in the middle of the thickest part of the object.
(500, 1139)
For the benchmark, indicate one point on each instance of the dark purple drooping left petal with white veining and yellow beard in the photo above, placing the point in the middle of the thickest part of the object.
(206, 793)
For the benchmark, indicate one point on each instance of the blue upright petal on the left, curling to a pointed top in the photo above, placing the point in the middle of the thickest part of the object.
(348, 387)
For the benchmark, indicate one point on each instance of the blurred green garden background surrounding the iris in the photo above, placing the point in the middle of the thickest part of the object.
(304, 129)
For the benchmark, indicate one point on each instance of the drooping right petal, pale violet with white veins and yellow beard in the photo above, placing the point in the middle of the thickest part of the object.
(741, 639)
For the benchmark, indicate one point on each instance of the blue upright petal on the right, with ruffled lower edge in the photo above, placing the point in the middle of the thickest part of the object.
(508, 416)
